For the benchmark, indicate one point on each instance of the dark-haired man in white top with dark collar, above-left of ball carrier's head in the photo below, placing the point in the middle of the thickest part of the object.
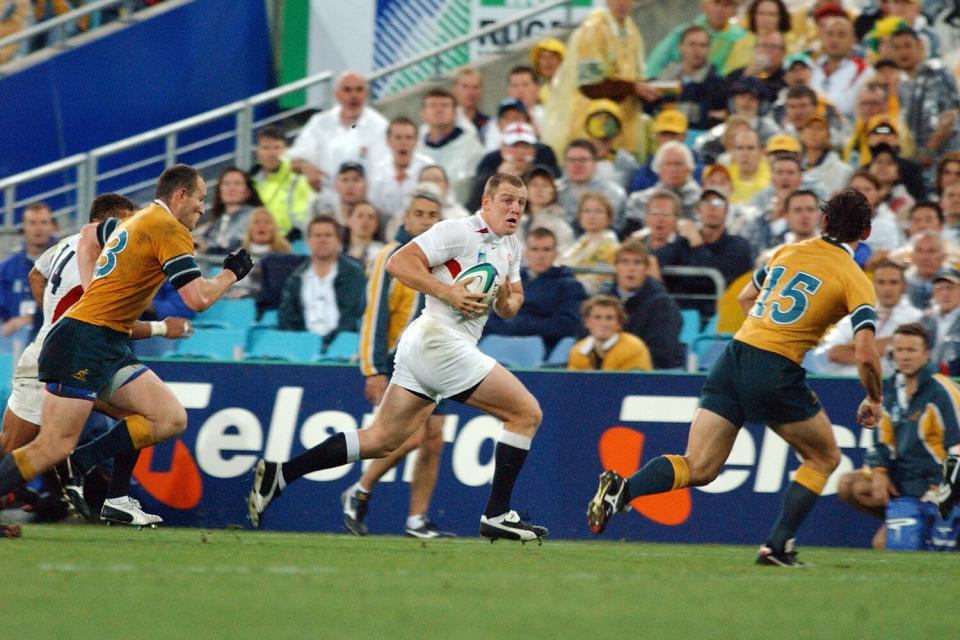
(445, 143)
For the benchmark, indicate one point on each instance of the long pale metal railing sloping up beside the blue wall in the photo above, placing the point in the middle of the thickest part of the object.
(104, 169)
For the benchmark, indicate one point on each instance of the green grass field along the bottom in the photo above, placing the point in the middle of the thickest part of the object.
(99, 582)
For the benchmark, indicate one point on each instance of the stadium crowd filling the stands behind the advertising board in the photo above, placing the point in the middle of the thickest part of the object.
(710, 150)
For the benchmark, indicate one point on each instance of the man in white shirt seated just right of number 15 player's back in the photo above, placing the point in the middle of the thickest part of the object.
(835, 355)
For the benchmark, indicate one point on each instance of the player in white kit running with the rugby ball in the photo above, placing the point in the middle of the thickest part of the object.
(438, 358)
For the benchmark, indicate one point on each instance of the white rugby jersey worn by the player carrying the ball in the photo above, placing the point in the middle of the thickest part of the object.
(453, 246)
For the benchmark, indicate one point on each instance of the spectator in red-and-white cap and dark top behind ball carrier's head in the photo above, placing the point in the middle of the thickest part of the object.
(518, 152)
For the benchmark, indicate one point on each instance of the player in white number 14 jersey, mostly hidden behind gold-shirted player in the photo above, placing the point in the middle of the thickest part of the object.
(55, 280)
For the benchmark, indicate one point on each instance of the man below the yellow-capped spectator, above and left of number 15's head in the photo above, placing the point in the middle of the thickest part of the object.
(768, 223)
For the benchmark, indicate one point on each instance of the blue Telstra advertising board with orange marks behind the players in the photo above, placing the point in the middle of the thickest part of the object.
(239, 412)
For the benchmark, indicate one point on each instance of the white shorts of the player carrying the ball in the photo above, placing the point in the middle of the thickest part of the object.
(438, 361)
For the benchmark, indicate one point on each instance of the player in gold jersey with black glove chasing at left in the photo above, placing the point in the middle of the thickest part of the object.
(87, 355)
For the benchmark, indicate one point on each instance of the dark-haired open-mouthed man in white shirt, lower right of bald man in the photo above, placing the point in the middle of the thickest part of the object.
(395, 175)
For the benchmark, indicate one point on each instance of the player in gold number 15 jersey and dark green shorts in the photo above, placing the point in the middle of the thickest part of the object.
(790, 303)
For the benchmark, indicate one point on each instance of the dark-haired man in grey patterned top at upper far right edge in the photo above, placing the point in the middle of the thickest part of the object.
(929, 100)
